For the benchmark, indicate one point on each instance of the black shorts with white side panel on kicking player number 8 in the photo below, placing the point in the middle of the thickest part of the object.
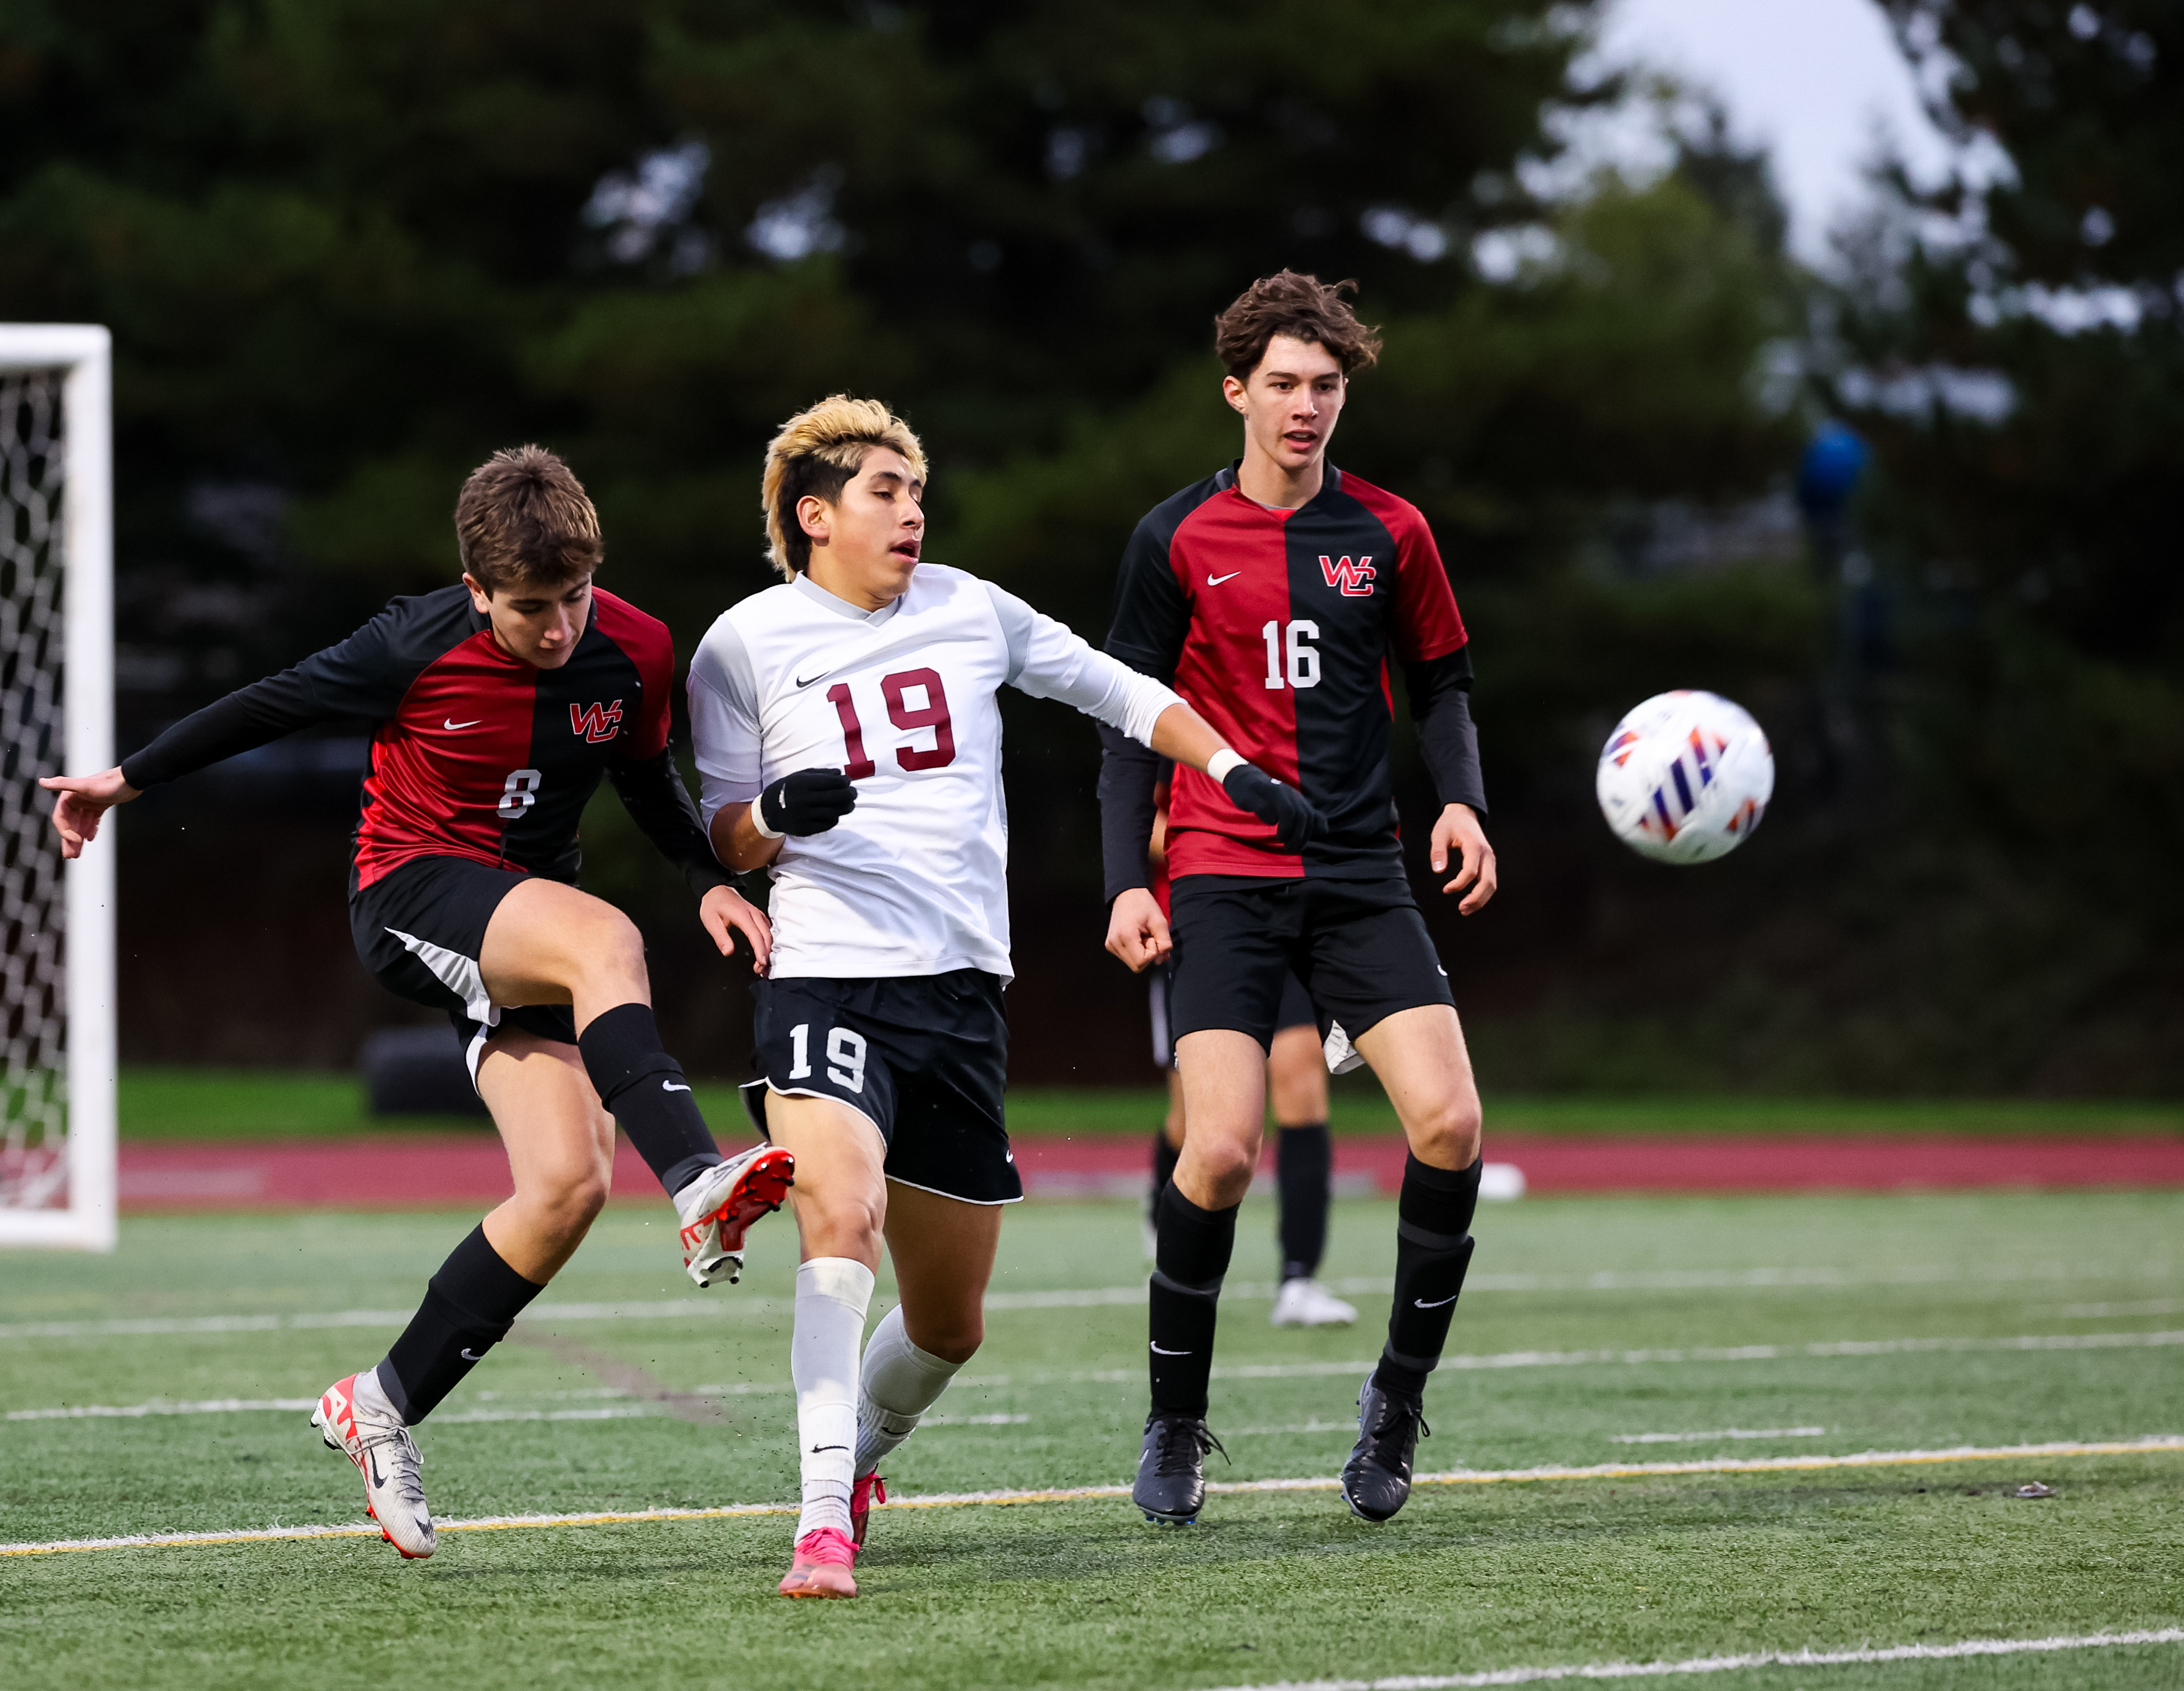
(420, 932)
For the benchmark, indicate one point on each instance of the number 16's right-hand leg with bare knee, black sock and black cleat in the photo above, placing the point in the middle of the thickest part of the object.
(1423, 1063)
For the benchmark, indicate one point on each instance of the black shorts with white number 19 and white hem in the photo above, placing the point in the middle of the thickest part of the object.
(925, 1059)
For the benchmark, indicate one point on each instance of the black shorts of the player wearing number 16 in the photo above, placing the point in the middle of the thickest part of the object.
(1357, 947)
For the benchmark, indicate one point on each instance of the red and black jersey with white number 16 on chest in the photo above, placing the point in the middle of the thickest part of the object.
(1279, 628)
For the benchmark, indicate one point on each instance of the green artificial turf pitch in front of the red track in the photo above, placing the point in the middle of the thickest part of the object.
(1589, 1323)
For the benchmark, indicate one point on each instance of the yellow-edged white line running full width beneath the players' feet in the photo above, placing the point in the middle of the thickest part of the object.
(2161, 1445)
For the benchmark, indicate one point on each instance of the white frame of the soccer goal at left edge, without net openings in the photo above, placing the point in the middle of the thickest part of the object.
(80, 359)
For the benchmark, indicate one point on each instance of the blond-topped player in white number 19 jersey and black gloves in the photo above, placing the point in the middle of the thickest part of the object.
(848, 737)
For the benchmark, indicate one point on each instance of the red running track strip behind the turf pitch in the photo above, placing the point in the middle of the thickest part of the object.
(468, 1170)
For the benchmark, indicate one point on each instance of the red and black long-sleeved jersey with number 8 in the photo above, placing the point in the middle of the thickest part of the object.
(477, 755)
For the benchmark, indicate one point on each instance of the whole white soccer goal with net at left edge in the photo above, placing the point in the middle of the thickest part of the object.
(58, 1010)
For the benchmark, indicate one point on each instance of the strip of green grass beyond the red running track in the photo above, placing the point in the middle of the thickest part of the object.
(307, 1104)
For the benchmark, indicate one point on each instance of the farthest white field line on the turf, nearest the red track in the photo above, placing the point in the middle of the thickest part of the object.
(1135, 1294)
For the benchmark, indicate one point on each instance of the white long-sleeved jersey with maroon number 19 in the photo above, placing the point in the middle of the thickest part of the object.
(916, 879)
